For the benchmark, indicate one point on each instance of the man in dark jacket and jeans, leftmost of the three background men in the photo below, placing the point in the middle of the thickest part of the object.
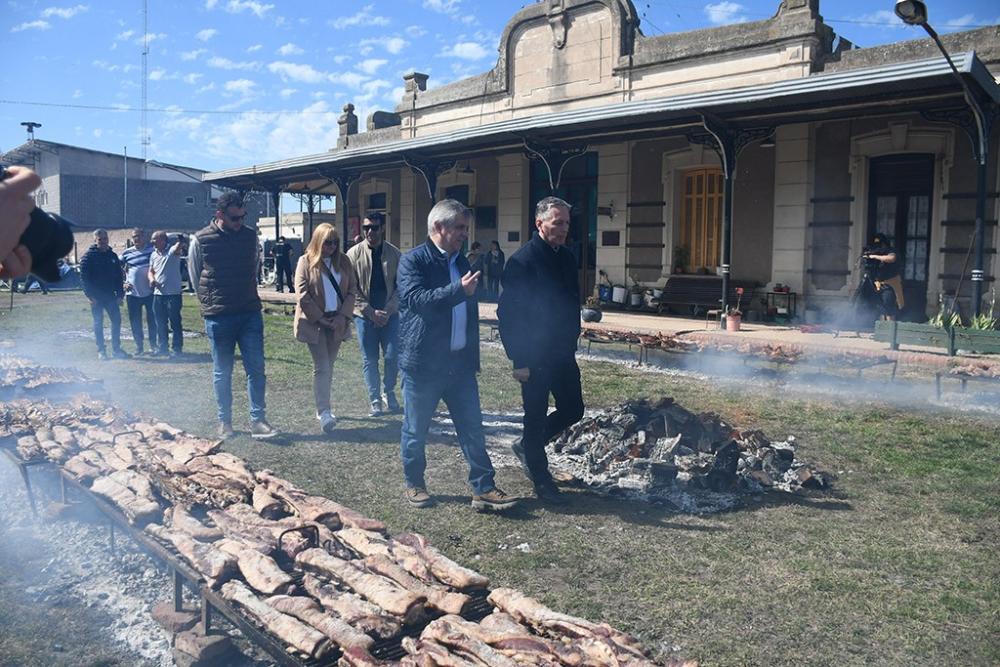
(101, 273)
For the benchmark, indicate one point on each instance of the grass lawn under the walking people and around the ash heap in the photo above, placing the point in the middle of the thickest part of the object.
(897, 564)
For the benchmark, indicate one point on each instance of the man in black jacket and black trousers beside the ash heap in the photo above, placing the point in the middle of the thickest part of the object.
(539, 315)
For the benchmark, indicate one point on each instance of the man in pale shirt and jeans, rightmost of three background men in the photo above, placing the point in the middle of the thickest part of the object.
(165, 280)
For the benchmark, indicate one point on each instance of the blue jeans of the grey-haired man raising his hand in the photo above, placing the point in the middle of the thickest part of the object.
(460, 392)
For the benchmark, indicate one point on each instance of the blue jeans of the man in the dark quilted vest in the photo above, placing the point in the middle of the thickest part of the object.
(225, 332)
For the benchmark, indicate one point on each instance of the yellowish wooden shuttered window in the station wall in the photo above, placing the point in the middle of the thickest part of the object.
(701, 218)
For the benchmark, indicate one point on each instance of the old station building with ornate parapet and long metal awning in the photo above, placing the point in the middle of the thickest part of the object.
(821, 144)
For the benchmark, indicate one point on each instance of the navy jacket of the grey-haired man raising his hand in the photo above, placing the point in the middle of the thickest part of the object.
(426, 298)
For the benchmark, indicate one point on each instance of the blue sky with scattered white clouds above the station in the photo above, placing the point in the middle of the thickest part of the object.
(215, 64)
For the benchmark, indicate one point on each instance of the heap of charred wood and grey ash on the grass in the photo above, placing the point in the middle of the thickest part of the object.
(662, 451)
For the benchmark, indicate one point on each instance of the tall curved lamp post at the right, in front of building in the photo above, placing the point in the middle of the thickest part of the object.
(914, 12)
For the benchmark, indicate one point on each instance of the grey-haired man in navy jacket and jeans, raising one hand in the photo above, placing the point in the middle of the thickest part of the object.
(439, 354)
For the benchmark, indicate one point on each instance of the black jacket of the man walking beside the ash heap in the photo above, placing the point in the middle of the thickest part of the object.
(539, 309)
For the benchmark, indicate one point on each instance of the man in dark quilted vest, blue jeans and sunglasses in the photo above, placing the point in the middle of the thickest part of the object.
(222, 264)
